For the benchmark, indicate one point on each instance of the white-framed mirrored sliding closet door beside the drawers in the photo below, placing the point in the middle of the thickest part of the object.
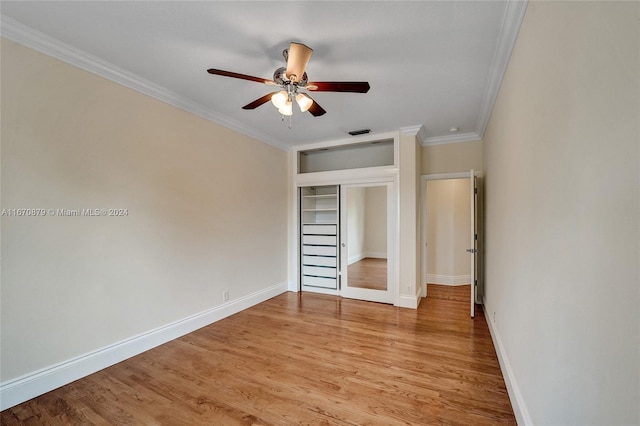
(367, 242)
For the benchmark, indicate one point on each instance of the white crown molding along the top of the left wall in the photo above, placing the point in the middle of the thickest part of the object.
(33, 39)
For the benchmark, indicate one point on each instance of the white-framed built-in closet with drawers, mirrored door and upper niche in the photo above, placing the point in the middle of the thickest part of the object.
(324, 235)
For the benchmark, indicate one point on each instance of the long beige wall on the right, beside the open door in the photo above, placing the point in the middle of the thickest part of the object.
(563, 213)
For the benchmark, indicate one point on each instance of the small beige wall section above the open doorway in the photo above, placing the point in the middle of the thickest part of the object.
(451, 157)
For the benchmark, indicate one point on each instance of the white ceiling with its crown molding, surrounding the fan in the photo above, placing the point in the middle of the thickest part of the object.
(434, 64)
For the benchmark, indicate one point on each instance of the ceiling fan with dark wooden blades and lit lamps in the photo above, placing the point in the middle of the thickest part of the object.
(293, 81)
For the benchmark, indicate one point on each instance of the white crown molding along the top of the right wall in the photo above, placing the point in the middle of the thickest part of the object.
(511, 21)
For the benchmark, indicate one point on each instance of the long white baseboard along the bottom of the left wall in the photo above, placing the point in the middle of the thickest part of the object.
(23, 388)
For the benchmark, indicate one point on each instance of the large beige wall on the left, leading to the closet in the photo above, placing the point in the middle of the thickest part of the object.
(206, 213)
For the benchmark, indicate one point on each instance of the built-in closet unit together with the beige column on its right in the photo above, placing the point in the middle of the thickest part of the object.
(363, 177)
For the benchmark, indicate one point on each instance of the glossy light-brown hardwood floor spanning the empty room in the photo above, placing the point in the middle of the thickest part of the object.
(299, 358)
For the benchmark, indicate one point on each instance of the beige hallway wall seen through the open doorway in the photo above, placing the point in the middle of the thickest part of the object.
(448, 231)
